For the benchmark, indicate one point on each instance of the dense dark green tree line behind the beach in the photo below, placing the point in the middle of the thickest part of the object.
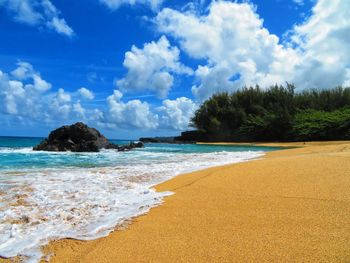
(278, 113)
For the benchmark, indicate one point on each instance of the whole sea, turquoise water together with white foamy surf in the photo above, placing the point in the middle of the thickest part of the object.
(47, 196)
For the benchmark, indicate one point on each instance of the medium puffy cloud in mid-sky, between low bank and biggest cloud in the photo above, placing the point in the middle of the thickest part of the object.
(152, 68)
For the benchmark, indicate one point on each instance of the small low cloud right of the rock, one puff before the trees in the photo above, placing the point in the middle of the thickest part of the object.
(132, 114)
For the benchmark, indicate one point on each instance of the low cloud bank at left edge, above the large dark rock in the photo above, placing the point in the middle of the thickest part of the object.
(25, 95)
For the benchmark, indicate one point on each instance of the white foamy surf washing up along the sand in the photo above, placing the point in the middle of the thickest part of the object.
(86, 203)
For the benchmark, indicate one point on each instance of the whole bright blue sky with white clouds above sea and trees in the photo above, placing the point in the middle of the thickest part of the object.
(133, 68)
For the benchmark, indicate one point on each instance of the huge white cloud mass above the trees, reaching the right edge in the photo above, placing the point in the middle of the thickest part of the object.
(240, 51)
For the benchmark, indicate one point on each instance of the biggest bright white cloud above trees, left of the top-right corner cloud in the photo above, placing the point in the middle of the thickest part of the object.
(232, 39)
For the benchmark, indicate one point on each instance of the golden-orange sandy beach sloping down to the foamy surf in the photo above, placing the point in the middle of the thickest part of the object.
(291, 205)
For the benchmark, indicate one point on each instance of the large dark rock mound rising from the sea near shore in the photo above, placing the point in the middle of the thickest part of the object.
(76, 138)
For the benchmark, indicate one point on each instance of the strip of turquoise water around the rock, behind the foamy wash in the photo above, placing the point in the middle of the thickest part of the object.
(16, 153)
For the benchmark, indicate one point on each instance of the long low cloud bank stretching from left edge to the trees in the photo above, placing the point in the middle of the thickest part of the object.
(26, 96)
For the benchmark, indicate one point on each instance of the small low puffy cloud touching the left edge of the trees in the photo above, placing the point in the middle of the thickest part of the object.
(176, 114)
